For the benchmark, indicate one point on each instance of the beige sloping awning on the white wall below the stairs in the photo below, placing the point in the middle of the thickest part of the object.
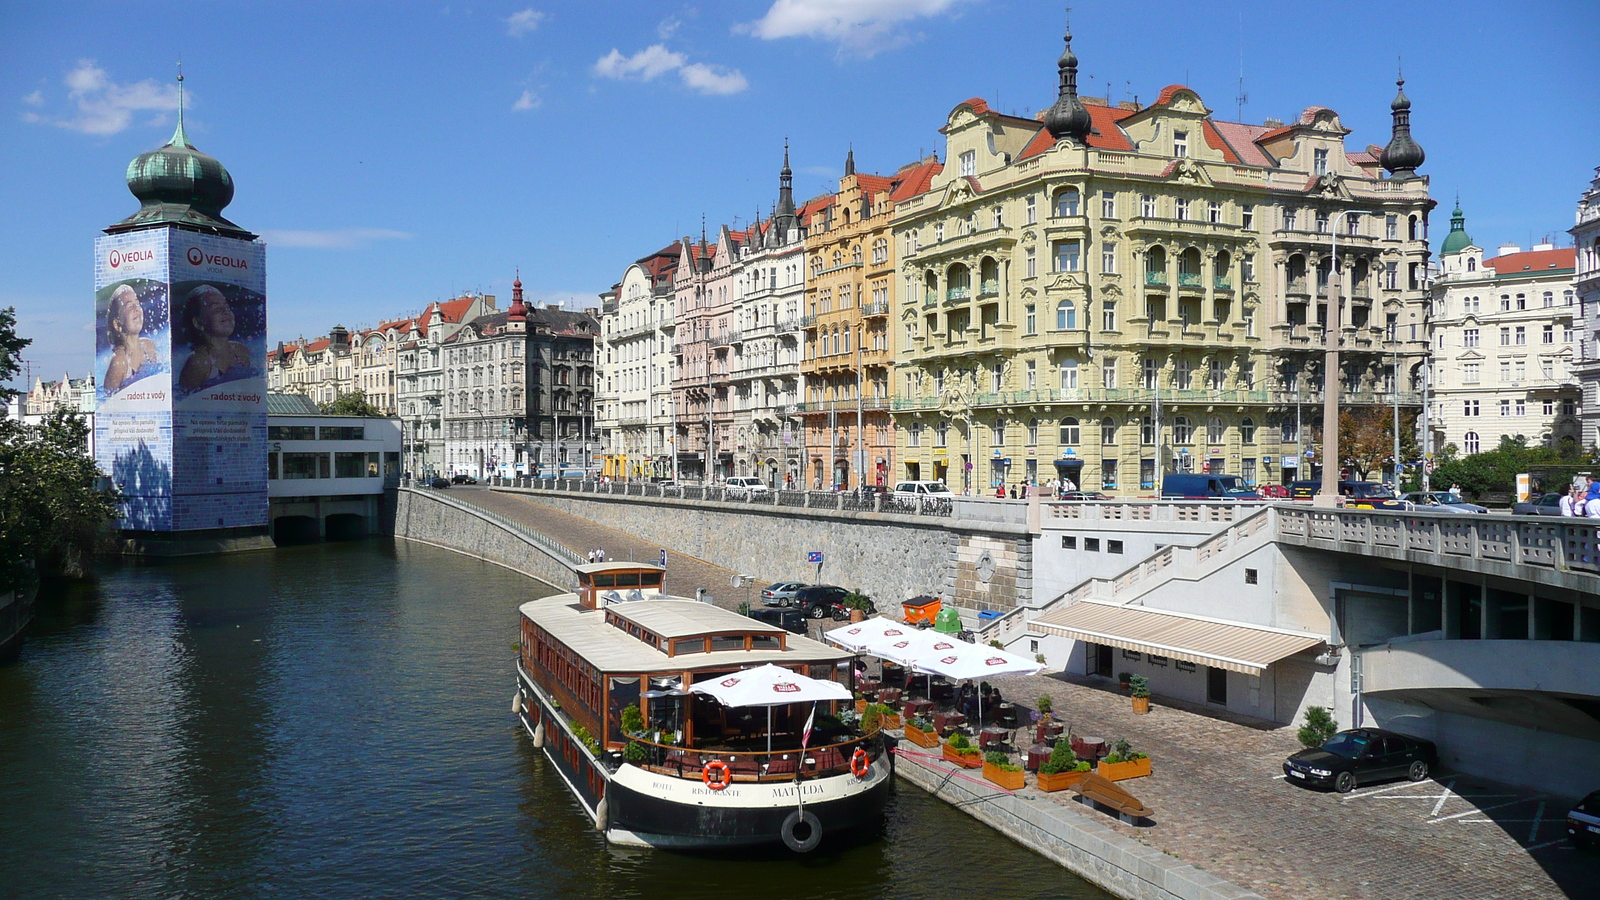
(1234, 646)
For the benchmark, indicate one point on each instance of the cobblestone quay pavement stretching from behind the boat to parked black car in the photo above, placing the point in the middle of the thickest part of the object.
(1218, 789)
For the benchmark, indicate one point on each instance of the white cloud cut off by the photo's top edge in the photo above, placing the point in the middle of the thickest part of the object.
(857, 26)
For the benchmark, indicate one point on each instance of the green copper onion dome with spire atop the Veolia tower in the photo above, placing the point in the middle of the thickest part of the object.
(178, 185)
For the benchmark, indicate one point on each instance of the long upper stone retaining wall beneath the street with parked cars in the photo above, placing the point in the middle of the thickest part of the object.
(890, 558)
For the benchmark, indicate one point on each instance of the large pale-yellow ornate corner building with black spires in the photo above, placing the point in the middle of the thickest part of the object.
(1116, 292)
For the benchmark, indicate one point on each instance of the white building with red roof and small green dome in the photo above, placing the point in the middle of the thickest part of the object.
(1505, 334)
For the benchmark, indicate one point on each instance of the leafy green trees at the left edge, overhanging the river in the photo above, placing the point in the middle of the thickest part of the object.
(52, 513)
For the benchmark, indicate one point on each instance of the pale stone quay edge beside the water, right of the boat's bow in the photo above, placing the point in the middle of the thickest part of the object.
(1078, 842)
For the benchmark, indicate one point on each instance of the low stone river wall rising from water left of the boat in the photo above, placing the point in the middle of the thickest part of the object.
(454, 526)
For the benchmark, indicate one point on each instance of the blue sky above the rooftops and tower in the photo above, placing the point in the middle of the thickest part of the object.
(394, 155)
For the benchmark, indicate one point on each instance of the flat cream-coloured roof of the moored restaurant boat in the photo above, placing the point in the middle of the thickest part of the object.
(612, 649)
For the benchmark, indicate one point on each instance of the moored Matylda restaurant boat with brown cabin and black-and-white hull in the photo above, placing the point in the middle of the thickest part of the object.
(614, 686)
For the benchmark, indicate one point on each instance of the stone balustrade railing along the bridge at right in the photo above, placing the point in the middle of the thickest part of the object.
(1564, 545)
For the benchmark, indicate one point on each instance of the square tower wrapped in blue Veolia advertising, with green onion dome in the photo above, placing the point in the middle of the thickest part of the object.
(182, 329)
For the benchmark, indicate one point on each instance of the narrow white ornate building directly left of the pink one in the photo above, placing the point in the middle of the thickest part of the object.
(638, 356)
